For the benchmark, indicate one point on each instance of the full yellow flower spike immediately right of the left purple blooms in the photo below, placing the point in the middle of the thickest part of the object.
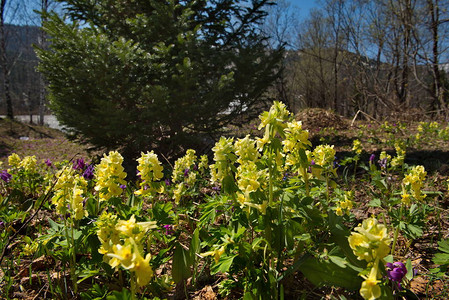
(110, 175)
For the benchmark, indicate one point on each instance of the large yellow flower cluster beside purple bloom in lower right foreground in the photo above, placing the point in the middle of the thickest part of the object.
(371, 243)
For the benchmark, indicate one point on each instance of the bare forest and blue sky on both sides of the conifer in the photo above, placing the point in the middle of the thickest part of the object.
(375, 56)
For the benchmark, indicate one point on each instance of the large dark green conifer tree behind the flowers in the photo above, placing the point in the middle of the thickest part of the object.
(135, 75)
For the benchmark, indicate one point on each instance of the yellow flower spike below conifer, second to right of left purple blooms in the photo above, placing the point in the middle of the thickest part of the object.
(150, 171)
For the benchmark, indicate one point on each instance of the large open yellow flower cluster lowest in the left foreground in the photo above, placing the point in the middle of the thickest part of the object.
(121, 245)
